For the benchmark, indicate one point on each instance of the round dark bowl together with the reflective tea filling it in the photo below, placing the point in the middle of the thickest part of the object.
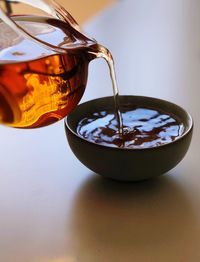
(155, 136)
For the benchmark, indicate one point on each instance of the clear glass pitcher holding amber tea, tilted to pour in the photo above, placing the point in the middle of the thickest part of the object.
(43, 65)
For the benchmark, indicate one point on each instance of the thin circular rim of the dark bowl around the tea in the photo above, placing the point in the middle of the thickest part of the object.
(185, 133)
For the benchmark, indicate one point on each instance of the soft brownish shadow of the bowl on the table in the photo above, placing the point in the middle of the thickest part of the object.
(113, 221)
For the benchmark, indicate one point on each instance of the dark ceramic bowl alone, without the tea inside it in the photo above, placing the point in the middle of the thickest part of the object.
(128, 164)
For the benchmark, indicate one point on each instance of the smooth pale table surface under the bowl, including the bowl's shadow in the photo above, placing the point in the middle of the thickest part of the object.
(53, 209)
